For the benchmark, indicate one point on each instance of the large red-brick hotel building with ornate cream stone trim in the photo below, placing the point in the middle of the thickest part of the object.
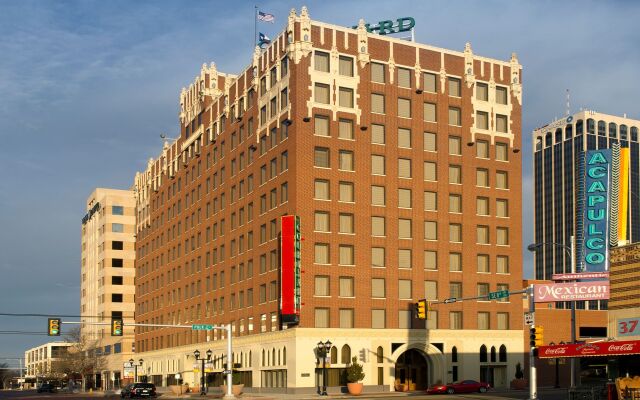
(401, 160)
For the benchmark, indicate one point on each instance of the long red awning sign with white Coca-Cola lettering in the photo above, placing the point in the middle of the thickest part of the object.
(619, 348)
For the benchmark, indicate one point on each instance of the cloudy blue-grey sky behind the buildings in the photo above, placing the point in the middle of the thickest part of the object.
(86, 88)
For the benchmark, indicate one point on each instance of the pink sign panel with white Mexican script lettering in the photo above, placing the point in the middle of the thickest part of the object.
(547, 293)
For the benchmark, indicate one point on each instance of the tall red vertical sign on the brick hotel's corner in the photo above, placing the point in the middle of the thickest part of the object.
(290, 269)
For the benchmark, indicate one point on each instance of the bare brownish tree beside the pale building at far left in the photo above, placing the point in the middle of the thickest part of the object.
(80, 359)
